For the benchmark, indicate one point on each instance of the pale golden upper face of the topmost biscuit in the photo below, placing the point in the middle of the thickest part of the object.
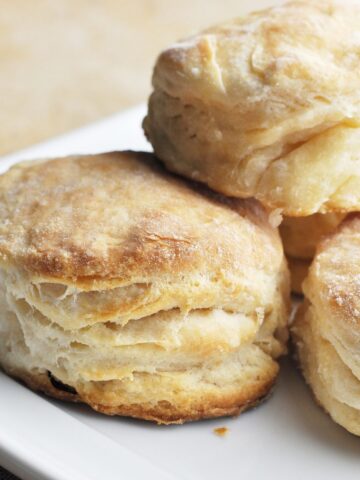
(271, 63)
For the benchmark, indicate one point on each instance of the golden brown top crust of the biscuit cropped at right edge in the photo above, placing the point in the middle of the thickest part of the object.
(334, 280)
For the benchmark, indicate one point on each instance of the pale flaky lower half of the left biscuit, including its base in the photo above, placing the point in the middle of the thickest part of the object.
(169, 367)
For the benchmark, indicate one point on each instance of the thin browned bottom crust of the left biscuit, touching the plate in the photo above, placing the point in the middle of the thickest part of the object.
(230, 402)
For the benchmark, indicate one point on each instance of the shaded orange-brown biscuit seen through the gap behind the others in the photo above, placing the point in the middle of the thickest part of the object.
(300, 236)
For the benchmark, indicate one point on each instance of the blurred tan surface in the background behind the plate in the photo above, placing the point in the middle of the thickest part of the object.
(66, 63)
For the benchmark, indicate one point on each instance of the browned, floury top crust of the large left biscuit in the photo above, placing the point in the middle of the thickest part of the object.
(120, 216)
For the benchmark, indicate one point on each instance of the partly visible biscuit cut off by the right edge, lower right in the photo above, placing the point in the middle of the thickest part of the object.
(326, 330)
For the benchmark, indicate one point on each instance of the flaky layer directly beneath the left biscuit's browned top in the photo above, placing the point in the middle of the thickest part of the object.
(71, 306)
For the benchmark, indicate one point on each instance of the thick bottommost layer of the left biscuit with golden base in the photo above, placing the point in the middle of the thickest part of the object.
(194, 396)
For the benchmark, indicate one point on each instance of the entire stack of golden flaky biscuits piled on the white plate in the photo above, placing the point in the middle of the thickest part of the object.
(156, 286)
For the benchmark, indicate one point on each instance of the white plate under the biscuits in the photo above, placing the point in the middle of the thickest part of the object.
(288, 437)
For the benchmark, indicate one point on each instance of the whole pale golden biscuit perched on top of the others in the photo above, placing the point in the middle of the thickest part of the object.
(266, 106)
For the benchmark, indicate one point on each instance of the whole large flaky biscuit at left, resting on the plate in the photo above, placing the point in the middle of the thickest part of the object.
(128, 289)
